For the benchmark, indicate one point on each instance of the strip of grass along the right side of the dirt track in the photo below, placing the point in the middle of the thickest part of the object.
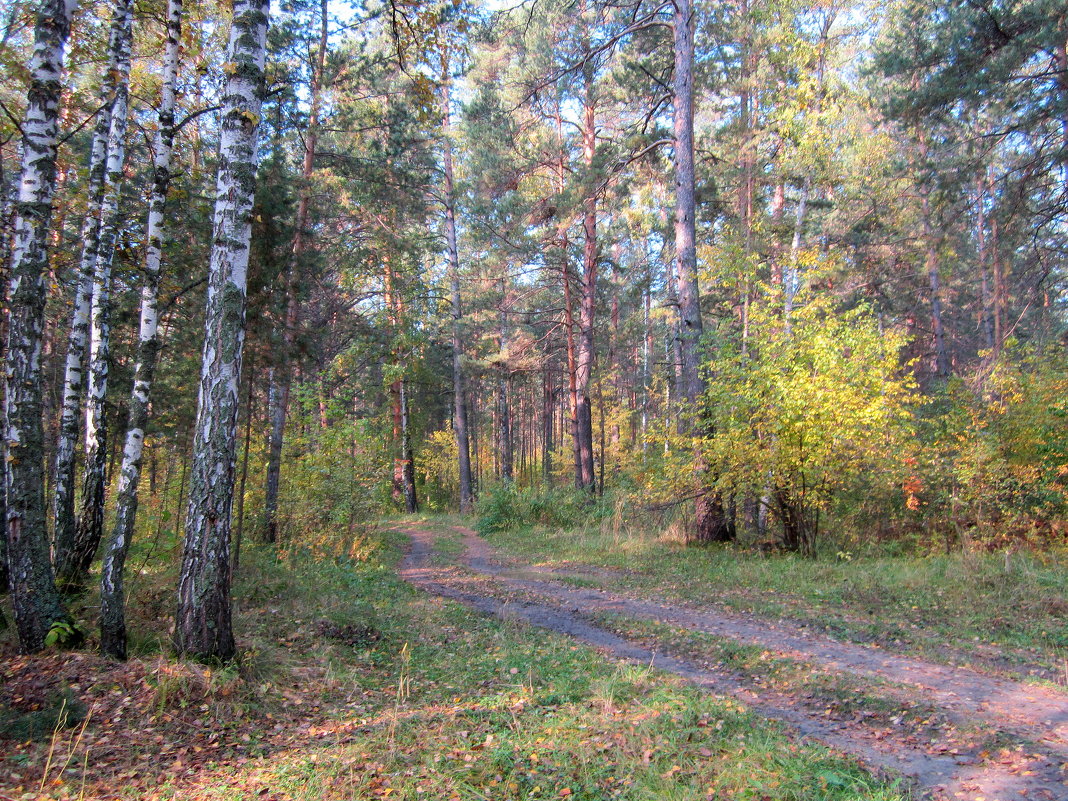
(991, 610)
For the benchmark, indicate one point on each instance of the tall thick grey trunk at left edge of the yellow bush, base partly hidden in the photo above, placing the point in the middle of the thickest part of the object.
(712, 523)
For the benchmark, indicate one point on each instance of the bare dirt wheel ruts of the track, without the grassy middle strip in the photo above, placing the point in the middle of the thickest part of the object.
(1029, 724)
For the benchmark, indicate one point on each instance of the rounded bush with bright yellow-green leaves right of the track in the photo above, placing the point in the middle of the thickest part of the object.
(808, 413)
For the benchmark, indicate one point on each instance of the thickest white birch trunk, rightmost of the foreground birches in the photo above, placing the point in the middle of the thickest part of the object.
(202, 624)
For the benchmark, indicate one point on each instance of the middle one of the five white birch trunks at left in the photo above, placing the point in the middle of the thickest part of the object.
(95, 481)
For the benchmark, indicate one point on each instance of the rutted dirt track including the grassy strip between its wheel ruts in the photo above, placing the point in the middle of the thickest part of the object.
(953, 732)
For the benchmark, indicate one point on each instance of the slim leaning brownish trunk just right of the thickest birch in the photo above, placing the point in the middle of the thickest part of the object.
(301, 242)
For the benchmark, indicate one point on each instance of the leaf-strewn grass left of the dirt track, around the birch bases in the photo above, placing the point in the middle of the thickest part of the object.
(441, 704)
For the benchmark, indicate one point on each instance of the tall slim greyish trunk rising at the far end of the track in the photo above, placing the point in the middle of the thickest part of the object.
(460, 401)
